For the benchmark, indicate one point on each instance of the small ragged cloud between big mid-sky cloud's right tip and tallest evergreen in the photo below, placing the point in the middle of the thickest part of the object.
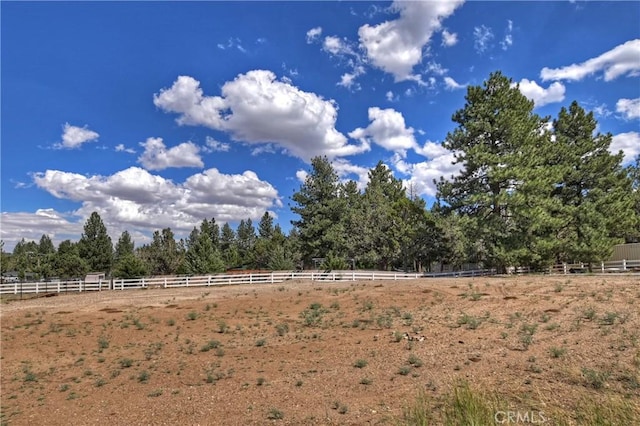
(422, 174)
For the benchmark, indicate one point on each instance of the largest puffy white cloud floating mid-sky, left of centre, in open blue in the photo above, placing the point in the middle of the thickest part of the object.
(256, 108)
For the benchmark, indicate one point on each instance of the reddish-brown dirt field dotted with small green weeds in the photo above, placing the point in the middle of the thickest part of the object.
(319, 353)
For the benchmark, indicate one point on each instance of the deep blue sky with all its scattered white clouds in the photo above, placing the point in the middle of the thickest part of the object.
(160, 114)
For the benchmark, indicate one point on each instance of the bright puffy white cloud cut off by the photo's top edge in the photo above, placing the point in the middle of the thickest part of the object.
(396, 46)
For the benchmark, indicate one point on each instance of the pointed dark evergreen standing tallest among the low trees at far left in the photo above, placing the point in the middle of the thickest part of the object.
(95, 245)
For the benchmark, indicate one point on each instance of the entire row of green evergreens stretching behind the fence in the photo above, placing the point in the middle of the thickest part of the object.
(532, 191)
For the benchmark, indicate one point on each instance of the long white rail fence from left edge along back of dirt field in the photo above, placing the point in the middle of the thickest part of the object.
(222, 279)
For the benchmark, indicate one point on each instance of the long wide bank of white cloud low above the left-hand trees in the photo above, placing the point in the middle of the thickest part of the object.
(141, 202)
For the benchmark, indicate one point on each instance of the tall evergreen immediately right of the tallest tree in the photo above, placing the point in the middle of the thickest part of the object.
(594, 189)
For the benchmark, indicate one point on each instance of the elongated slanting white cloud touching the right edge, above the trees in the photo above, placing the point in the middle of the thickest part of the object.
(619, 61)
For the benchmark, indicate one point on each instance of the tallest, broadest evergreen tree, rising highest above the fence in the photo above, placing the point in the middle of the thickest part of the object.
(503, 186)
